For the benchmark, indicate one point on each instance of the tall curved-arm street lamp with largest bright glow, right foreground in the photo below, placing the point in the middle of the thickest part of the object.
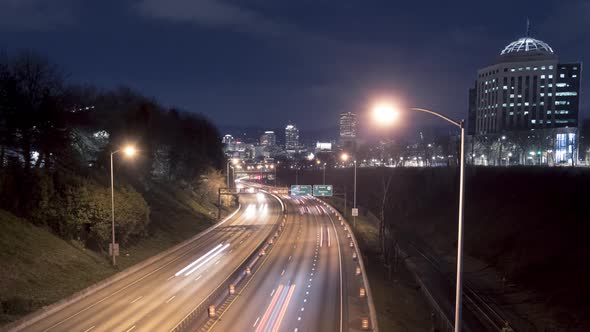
(386, 114)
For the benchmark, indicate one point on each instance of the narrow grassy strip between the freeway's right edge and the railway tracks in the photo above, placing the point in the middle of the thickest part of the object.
(399, 304)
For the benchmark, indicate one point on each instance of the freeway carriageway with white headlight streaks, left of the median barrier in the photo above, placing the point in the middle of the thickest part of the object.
(158, 296)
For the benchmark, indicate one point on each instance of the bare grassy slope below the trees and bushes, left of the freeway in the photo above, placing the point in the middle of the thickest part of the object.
(39, 268)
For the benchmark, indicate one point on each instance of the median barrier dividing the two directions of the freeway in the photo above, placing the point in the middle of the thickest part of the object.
(234, 278)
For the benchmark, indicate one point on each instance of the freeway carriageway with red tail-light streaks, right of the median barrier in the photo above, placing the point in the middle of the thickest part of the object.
(300, 285)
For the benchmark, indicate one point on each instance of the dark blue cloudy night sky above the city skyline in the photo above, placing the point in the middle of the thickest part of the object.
(264, 62)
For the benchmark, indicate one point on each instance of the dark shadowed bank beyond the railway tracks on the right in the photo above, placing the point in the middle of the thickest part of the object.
(525, 231)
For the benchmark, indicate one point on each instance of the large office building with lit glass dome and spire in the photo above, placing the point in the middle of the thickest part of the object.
(527, 89)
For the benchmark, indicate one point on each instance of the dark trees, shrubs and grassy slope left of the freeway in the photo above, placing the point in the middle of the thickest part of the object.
(56, 138)
